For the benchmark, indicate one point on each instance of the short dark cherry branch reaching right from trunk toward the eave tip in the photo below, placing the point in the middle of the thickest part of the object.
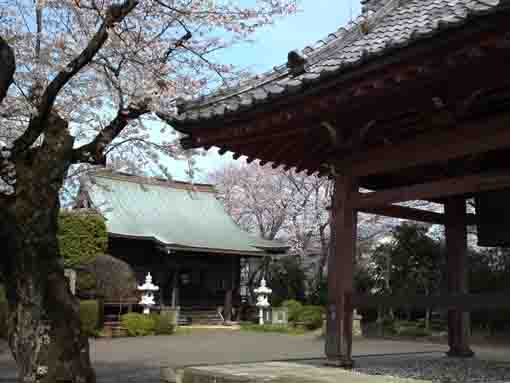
(94, 152)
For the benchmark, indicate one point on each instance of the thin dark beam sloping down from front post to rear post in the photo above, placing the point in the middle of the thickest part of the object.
(412, 214)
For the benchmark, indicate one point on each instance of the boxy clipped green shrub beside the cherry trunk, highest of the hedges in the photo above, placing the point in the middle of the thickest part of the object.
(82, 236)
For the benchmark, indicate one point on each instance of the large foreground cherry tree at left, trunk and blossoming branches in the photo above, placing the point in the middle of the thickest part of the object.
(80, 79)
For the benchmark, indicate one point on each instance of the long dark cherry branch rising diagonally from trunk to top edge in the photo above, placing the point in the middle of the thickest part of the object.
(115, 14)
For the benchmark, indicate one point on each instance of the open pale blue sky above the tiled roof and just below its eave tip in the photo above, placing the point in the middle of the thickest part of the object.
(315, 20)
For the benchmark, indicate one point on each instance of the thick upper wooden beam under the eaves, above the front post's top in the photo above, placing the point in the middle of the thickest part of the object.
(473, 137)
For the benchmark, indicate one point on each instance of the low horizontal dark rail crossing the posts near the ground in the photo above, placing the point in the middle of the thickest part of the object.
(463, 302)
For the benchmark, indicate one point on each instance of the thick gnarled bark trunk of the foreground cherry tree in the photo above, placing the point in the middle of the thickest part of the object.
(44, 322)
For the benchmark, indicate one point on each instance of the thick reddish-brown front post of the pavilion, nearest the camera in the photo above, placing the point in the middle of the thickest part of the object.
(341, 275)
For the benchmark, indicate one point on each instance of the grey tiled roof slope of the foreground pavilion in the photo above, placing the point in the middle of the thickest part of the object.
(396, 24)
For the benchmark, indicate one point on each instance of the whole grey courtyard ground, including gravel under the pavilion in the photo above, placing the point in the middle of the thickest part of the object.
(138, 360)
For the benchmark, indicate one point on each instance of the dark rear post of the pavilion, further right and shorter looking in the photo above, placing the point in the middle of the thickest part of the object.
(456, 252)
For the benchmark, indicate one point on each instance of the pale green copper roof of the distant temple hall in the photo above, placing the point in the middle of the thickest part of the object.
(175, 214)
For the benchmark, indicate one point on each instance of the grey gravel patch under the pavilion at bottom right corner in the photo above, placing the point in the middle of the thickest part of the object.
(438, 369)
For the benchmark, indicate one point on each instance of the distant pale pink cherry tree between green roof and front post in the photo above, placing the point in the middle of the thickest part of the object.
(288, 205)
